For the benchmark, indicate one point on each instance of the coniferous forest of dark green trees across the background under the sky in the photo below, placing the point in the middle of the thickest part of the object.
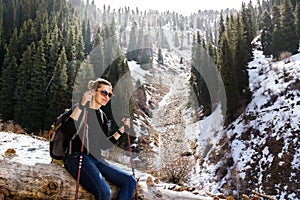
(45, 43)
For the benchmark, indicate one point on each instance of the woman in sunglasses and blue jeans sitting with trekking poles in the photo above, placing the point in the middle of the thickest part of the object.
(94, 167)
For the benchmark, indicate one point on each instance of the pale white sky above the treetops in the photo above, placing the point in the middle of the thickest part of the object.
(185, 7)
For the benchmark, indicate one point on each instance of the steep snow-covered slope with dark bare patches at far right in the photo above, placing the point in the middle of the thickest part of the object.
(260, 150)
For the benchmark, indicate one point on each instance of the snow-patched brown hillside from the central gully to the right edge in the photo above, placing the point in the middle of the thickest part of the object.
(257, 152)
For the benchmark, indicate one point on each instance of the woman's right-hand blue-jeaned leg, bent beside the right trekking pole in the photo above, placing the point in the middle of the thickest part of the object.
(126, 182)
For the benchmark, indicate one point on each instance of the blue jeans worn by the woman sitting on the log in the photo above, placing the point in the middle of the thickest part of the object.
(93, 172)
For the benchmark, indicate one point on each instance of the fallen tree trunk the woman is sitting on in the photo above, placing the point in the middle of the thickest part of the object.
(41, 181)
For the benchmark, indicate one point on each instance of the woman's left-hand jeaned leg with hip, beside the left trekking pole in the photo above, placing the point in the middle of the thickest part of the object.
(90, 177)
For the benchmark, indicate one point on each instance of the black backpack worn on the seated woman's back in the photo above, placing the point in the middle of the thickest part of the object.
(57, 137)
